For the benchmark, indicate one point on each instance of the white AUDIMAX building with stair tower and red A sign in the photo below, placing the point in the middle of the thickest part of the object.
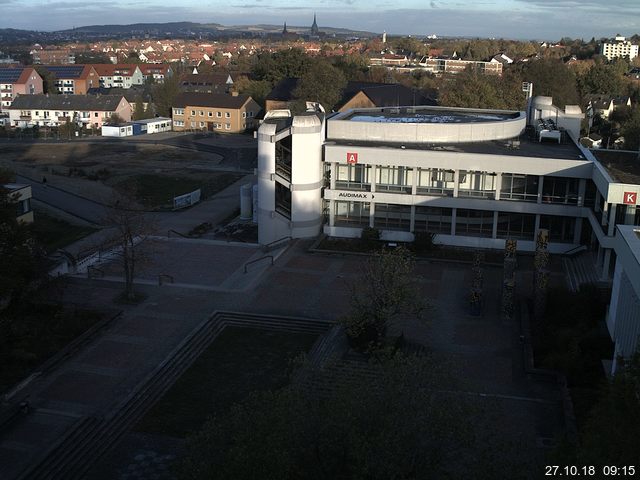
(474, 178)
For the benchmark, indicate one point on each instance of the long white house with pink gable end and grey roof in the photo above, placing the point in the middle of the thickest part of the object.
(53, 110)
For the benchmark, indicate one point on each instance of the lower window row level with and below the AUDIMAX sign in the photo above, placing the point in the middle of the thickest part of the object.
(473, 223)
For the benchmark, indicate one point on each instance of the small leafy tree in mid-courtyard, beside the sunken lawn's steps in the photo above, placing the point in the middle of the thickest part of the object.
(384, 290)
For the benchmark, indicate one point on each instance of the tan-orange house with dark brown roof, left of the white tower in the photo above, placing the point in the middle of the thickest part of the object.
(214, 112)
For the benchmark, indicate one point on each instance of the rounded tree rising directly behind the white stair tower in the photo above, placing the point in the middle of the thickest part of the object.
(322, 83)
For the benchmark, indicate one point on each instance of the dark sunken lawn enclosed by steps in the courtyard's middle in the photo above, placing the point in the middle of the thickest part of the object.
(238, 362)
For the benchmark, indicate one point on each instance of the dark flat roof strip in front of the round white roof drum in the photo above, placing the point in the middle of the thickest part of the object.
(518, 147)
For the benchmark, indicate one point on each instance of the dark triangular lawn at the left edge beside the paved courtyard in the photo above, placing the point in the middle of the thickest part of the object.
(30, 334)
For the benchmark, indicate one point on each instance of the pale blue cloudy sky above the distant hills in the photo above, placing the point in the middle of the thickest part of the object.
(516, 19)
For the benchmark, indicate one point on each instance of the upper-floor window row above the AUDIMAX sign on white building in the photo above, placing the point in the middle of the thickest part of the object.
(434, 181)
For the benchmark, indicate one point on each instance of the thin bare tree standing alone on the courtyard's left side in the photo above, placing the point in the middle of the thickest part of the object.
(131, 225)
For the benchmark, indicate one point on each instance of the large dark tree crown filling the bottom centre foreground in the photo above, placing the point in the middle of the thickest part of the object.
(394, 423)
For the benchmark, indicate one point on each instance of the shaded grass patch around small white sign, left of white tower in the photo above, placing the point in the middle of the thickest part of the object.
(158, 191)
